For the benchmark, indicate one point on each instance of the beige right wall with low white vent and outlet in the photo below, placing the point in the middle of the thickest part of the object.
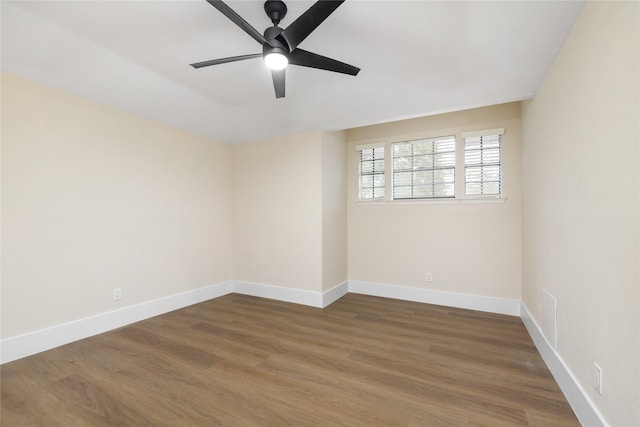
(581, 204)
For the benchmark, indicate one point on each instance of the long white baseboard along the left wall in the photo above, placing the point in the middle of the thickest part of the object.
(44, 339)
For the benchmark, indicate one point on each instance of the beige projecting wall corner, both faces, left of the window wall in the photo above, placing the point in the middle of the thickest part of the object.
(289, 204)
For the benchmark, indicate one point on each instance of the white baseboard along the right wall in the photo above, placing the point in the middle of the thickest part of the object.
(584, 409)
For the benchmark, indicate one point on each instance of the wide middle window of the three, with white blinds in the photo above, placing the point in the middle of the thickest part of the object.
(425, 168)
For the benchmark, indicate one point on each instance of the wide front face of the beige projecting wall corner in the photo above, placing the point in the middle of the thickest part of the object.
(277, 211)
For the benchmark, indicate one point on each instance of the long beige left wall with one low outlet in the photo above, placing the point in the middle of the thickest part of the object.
(94, 198)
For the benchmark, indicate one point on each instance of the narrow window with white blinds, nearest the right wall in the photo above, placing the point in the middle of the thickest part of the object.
(482, 168)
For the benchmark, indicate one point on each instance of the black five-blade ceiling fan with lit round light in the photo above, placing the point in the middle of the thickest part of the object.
(280, 46)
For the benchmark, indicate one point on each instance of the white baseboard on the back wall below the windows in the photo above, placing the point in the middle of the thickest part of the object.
(430, 296)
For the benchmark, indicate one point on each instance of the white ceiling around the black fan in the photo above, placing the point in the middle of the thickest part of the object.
(417, 58)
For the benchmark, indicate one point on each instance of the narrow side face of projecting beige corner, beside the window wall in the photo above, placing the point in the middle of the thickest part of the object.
(334, 209)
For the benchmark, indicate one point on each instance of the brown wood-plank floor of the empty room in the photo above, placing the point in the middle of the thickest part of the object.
(245, 361)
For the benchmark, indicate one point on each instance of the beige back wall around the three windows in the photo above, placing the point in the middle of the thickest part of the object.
(469, 248)
